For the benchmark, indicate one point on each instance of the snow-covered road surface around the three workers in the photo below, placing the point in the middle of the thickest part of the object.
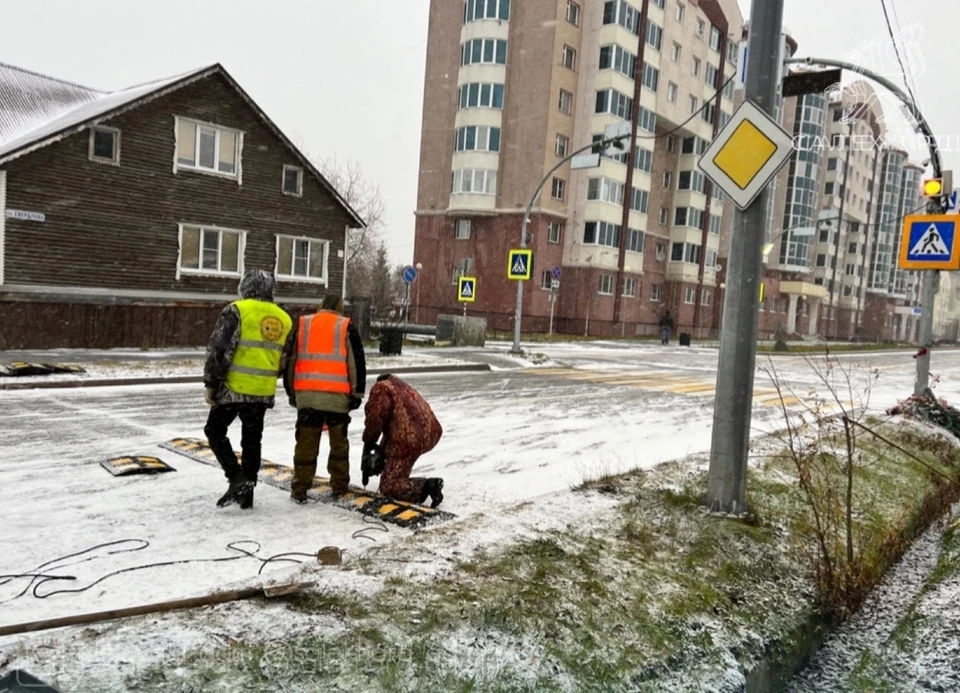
(511, 435)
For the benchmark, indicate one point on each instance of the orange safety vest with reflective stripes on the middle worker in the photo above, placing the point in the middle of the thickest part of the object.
(322, 357)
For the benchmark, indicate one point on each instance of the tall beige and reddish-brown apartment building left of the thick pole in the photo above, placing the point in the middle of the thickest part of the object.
(513, 88)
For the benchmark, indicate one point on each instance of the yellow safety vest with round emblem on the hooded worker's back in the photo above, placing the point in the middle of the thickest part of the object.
(255, 367)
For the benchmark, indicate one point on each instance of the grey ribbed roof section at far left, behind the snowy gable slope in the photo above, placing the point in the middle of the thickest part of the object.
(28, 100)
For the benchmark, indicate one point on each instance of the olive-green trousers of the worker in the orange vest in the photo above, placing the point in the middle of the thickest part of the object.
(310, 424)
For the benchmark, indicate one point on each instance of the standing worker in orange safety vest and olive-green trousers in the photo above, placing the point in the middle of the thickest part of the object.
(325, 376)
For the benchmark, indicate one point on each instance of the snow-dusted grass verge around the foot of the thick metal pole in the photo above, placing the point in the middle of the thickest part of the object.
(639, 589)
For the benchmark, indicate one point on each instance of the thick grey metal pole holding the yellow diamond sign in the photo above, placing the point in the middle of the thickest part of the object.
(727, 479)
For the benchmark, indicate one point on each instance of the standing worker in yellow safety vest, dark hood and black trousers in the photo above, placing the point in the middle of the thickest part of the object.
(240, 377)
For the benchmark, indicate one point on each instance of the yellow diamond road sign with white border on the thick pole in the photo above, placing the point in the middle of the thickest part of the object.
(746, 154)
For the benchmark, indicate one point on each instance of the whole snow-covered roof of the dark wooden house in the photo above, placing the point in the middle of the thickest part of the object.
(48, 111)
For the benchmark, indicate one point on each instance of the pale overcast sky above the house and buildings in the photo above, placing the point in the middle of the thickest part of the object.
(345, 77)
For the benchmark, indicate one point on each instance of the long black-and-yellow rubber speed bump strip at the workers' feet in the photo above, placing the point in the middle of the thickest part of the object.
(356, 499)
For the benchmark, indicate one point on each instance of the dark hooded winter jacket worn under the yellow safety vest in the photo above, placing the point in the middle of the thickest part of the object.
(226, 337)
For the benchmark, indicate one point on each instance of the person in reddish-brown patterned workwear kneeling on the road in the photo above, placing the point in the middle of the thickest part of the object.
(409, 428)
